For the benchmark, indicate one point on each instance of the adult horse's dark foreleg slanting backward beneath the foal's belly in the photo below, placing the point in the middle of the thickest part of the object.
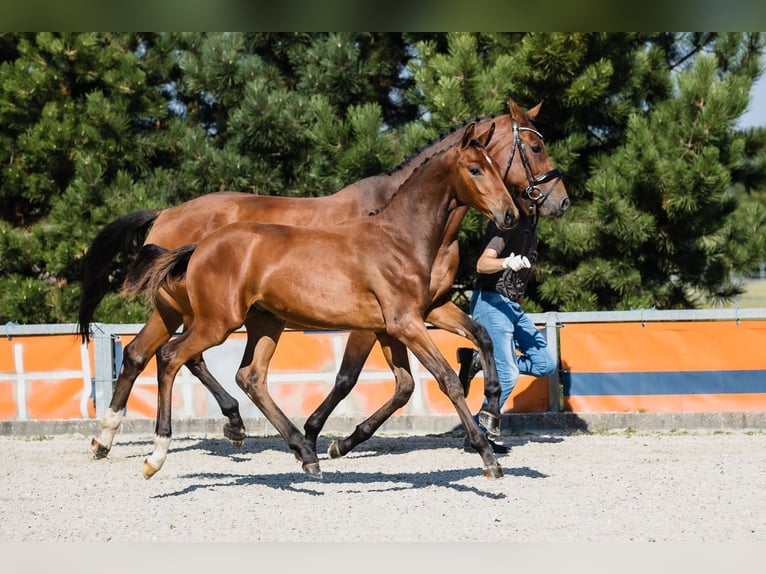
(358, 347)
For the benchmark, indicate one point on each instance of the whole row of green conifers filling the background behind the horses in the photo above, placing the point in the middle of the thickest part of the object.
(667, 191)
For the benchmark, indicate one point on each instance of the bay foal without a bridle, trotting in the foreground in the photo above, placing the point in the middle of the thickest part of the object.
(371, 273)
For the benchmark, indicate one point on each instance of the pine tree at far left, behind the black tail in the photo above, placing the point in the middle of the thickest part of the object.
(73, 108)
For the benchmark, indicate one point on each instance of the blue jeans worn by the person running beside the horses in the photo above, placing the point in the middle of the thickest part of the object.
(510, 329)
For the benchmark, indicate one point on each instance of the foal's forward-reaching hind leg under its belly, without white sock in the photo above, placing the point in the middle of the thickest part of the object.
(251, 377)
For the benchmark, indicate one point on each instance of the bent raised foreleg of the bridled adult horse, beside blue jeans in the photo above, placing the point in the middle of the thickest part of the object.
(451, 318)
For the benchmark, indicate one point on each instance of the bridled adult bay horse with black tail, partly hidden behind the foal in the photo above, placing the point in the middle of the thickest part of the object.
(516, 144)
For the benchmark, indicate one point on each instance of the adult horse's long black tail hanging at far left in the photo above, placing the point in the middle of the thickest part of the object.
(117, 242)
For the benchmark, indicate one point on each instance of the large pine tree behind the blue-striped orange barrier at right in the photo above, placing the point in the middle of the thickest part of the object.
(658, 207)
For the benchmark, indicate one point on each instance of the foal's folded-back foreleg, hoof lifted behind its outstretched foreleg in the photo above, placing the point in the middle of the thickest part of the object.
(396, 356)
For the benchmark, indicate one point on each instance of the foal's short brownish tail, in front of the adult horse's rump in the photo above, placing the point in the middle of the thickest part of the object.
(155, 267)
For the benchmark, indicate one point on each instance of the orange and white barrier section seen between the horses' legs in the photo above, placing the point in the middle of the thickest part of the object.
(302, 373)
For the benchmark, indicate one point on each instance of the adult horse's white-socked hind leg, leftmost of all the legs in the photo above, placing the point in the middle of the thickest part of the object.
(137, 354)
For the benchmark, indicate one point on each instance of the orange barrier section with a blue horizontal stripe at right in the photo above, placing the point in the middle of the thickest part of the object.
(664, 366)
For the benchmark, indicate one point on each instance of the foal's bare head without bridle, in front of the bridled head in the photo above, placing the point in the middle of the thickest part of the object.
(482, 185)
